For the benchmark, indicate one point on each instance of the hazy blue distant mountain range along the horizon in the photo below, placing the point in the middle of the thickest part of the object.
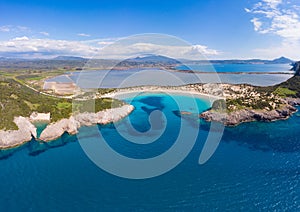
(148, 60)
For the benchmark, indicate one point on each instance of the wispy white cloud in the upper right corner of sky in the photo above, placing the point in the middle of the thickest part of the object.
(280, 18)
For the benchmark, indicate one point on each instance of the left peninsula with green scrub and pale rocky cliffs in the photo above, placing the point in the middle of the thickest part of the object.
(21, 107)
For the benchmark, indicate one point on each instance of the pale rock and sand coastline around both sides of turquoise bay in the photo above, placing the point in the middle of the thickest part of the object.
(212, 92)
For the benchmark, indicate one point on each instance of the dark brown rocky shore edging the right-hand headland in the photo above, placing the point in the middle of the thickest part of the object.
(246, 115)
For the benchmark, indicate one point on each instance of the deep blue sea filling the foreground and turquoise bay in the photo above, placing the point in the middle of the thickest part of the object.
(256, 167)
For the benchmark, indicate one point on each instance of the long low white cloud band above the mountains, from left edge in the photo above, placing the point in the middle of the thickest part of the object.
(102, 48)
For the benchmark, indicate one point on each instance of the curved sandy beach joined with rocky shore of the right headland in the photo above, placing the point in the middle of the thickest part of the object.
(227, 118)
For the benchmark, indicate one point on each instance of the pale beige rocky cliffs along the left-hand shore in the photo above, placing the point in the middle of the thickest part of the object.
(26, 130)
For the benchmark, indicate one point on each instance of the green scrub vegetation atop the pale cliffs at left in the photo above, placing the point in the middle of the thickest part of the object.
(19, 100)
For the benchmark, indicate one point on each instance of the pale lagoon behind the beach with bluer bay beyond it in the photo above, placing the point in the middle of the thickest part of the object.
(138, 77)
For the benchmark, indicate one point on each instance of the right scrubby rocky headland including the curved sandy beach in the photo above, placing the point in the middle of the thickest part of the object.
(239, 103)
